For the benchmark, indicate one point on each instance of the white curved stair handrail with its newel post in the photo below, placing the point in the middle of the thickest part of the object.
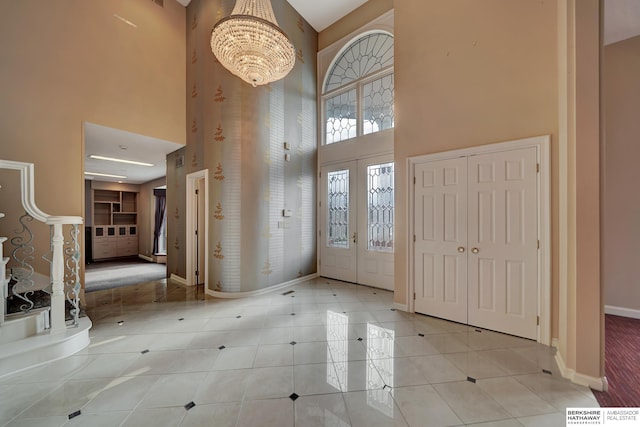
(27, 195)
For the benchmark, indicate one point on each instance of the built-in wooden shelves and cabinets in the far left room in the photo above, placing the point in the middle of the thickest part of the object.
(115, 218)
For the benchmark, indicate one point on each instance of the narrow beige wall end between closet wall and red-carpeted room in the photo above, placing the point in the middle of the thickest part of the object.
(589, 327)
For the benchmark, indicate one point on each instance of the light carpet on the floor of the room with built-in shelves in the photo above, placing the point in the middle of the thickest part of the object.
(112, 274)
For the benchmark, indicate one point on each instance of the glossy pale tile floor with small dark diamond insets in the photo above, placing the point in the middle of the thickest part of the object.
(327, 354)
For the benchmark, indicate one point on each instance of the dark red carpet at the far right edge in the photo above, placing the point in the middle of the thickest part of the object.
(622, 362)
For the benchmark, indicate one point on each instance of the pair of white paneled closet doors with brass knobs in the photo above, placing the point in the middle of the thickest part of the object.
(476, 240)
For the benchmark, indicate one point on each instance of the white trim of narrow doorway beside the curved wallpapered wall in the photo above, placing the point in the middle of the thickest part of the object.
(191, 201)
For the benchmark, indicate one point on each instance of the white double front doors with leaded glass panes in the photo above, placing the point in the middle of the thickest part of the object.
(356, 225)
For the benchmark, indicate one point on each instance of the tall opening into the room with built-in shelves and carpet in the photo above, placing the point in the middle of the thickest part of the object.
(123, 173)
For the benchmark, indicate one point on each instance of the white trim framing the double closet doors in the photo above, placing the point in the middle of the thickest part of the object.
(542, 144)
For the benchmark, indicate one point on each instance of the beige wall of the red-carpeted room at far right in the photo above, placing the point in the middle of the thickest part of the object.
(621, 202)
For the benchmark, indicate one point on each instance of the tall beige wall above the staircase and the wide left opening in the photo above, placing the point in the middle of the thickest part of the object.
(64, 62)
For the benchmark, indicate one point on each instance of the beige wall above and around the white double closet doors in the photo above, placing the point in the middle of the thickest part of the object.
(479, 72)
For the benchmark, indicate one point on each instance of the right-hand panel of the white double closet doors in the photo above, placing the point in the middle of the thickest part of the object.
(503, 238)
